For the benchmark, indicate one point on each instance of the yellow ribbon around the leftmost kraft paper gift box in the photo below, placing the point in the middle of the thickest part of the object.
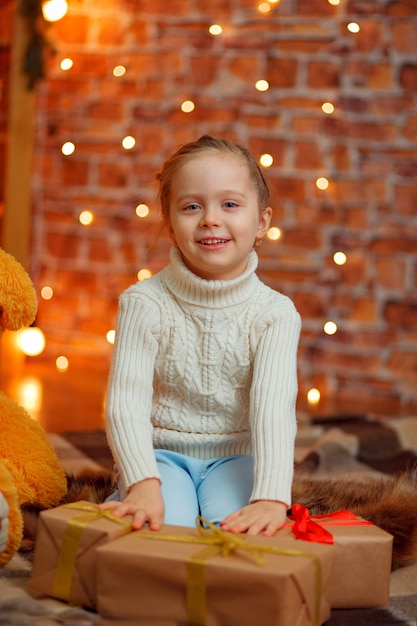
(71, 540)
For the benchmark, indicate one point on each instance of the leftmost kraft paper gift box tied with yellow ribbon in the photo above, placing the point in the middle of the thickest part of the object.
(64, 563)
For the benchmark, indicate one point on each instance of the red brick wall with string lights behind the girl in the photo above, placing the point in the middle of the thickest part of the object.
(366, 149)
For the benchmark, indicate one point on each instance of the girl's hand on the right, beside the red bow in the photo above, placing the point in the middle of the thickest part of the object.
(260, 517)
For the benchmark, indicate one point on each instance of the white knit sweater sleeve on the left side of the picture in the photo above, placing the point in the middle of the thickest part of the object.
(130, 389)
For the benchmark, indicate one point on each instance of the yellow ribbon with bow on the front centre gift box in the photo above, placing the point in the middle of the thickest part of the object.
(225, 543)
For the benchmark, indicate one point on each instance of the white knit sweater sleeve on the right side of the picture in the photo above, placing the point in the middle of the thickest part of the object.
(272, 406)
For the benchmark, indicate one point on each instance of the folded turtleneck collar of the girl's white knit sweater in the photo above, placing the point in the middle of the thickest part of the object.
(192, 289)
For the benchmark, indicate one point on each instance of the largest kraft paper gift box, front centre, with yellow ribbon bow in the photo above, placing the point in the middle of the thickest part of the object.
(170, 576)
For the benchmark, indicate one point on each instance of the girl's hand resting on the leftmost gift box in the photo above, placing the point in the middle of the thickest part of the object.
(144, 501)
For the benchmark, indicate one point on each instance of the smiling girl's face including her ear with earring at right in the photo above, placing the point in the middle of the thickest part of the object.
(215, 216)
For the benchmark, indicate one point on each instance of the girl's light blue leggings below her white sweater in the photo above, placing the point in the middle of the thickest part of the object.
(192, 487)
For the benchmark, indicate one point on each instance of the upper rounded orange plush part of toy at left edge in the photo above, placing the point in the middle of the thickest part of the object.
(18, 302)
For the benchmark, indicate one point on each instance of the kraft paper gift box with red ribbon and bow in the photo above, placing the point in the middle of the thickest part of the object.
(361, 568)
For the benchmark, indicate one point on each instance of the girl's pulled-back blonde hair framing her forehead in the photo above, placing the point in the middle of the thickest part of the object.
(205, 143)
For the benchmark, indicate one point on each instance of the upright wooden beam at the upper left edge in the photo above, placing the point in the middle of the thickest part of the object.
(20, 146)
